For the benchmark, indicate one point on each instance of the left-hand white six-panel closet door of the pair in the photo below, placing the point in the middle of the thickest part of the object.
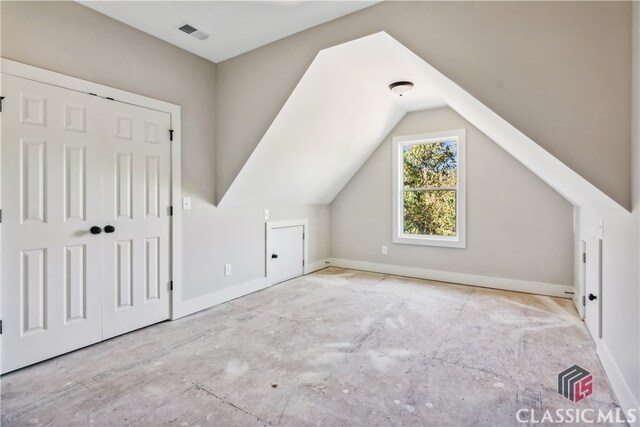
(51, 197)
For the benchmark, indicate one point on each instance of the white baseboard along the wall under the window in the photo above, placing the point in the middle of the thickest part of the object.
(540, 288)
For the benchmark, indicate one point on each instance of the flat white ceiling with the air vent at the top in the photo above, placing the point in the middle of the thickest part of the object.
(234, 27)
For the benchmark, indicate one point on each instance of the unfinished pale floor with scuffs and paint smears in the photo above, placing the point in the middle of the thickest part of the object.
(338, 347)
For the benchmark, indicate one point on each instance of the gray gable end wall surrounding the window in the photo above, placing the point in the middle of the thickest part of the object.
(517, 226)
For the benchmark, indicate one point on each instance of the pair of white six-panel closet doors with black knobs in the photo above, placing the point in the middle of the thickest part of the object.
(72, 162)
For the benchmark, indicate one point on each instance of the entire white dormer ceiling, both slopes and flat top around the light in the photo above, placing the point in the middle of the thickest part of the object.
(342, 109)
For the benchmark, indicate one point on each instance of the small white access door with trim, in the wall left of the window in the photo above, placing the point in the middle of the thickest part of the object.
(286, 250)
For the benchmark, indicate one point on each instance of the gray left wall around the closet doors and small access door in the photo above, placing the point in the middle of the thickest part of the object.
(69, 38)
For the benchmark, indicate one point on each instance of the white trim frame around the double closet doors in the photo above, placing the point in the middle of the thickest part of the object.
(52, 78)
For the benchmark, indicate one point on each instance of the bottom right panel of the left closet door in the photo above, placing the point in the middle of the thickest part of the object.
(76, 282)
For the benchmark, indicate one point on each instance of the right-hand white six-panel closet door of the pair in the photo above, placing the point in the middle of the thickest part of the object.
(136, 187)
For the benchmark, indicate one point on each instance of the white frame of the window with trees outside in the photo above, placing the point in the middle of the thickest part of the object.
(398, 143)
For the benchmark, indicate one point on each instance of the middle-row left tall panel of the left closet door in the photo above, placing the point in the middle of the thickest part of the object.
(33, 181)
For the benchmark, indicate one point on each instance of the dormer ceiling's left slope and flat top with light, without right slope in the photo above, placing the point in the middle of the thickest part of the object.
(333, 121)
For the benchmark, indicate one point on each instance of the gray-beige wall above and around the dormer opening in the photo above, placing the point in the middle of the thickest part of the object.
(546, 67)
